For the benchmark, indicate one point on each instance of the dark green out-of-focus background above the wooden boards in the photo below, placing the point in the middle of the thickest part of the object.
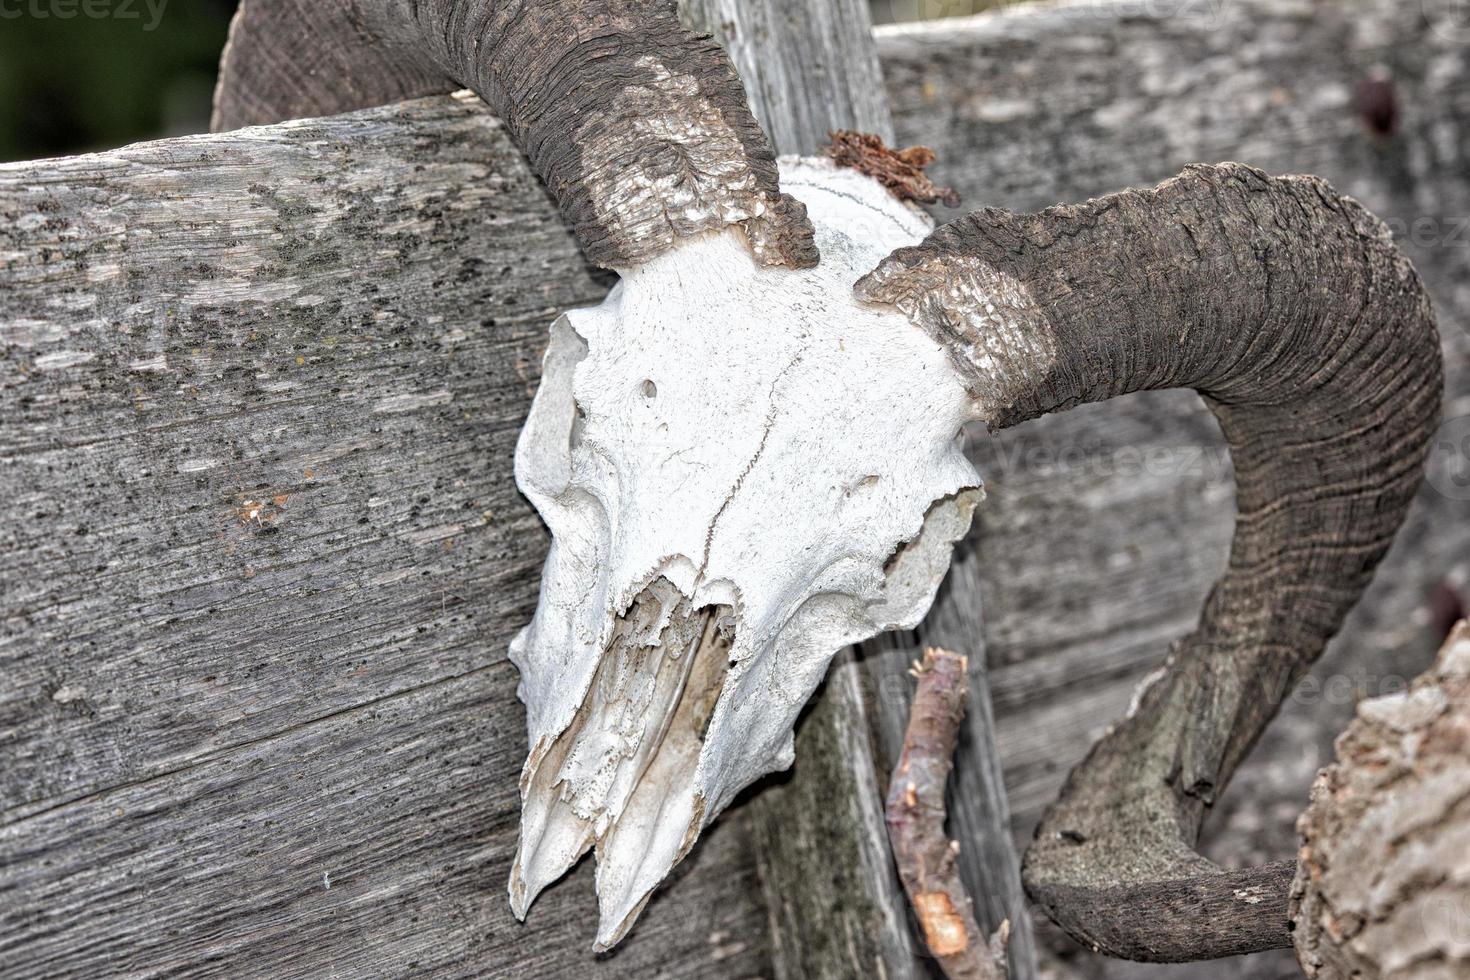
(80, 84)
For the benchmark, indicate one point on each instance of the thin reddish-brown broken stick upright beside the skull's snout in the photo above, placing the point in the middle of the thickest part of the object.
(917, 818)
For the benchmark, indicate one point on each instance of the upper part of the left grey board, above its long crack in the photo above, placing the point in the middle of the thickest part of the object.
(198, 324)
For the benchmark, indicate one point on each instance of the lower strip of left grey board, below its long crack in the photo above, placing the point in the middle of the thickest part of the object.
(371, 843)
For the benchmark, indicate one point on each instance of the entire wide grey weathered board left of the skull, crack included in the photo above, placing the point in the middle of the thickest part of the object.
(262, 555)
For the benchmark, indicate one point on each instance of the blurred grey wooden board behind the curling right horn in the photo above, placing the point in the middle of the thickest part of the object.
(1105, 527)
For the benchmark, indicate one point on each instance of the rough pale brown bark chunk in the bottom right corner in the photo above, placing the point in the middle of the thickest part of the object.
(1384, 879)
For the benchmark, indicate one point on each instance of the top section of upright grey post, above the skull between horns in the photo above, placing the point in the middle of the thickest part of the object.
(809, 68)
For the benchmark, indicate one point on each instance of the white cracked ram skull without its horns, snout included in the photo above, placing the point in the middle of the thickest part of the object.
(745, 471)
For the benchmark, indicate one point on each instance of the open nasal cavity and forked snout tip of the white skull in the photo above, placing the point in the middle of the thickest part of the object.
(621, 782)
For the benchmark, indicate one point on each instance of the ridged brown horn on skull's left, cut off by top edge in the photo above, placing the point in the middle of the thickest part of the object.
(640, 129)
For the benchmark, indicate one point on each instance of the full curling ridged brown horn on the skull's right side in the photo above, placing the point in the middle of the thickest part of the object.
(1313, 343)
